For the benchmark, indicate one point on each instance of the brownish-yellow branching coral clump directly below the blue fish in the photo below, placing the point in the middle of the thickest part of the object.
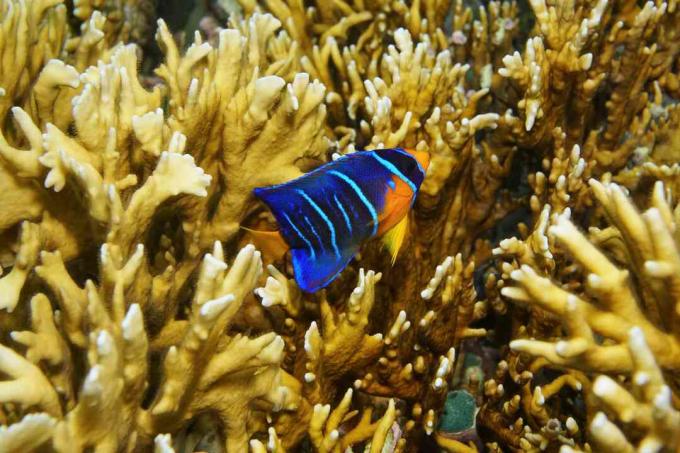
(410, 362)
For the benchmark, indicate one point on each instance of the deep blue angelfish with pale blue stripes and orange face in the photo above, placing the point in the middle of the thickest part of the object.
(325, 215)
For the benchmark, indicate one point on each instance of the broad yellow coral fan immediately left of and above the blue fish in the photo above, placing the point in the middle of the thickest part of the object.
(235, 117)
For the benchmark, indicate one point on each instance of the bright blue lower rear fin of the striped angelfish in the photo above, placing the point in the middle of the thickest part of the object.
(314, 273)
